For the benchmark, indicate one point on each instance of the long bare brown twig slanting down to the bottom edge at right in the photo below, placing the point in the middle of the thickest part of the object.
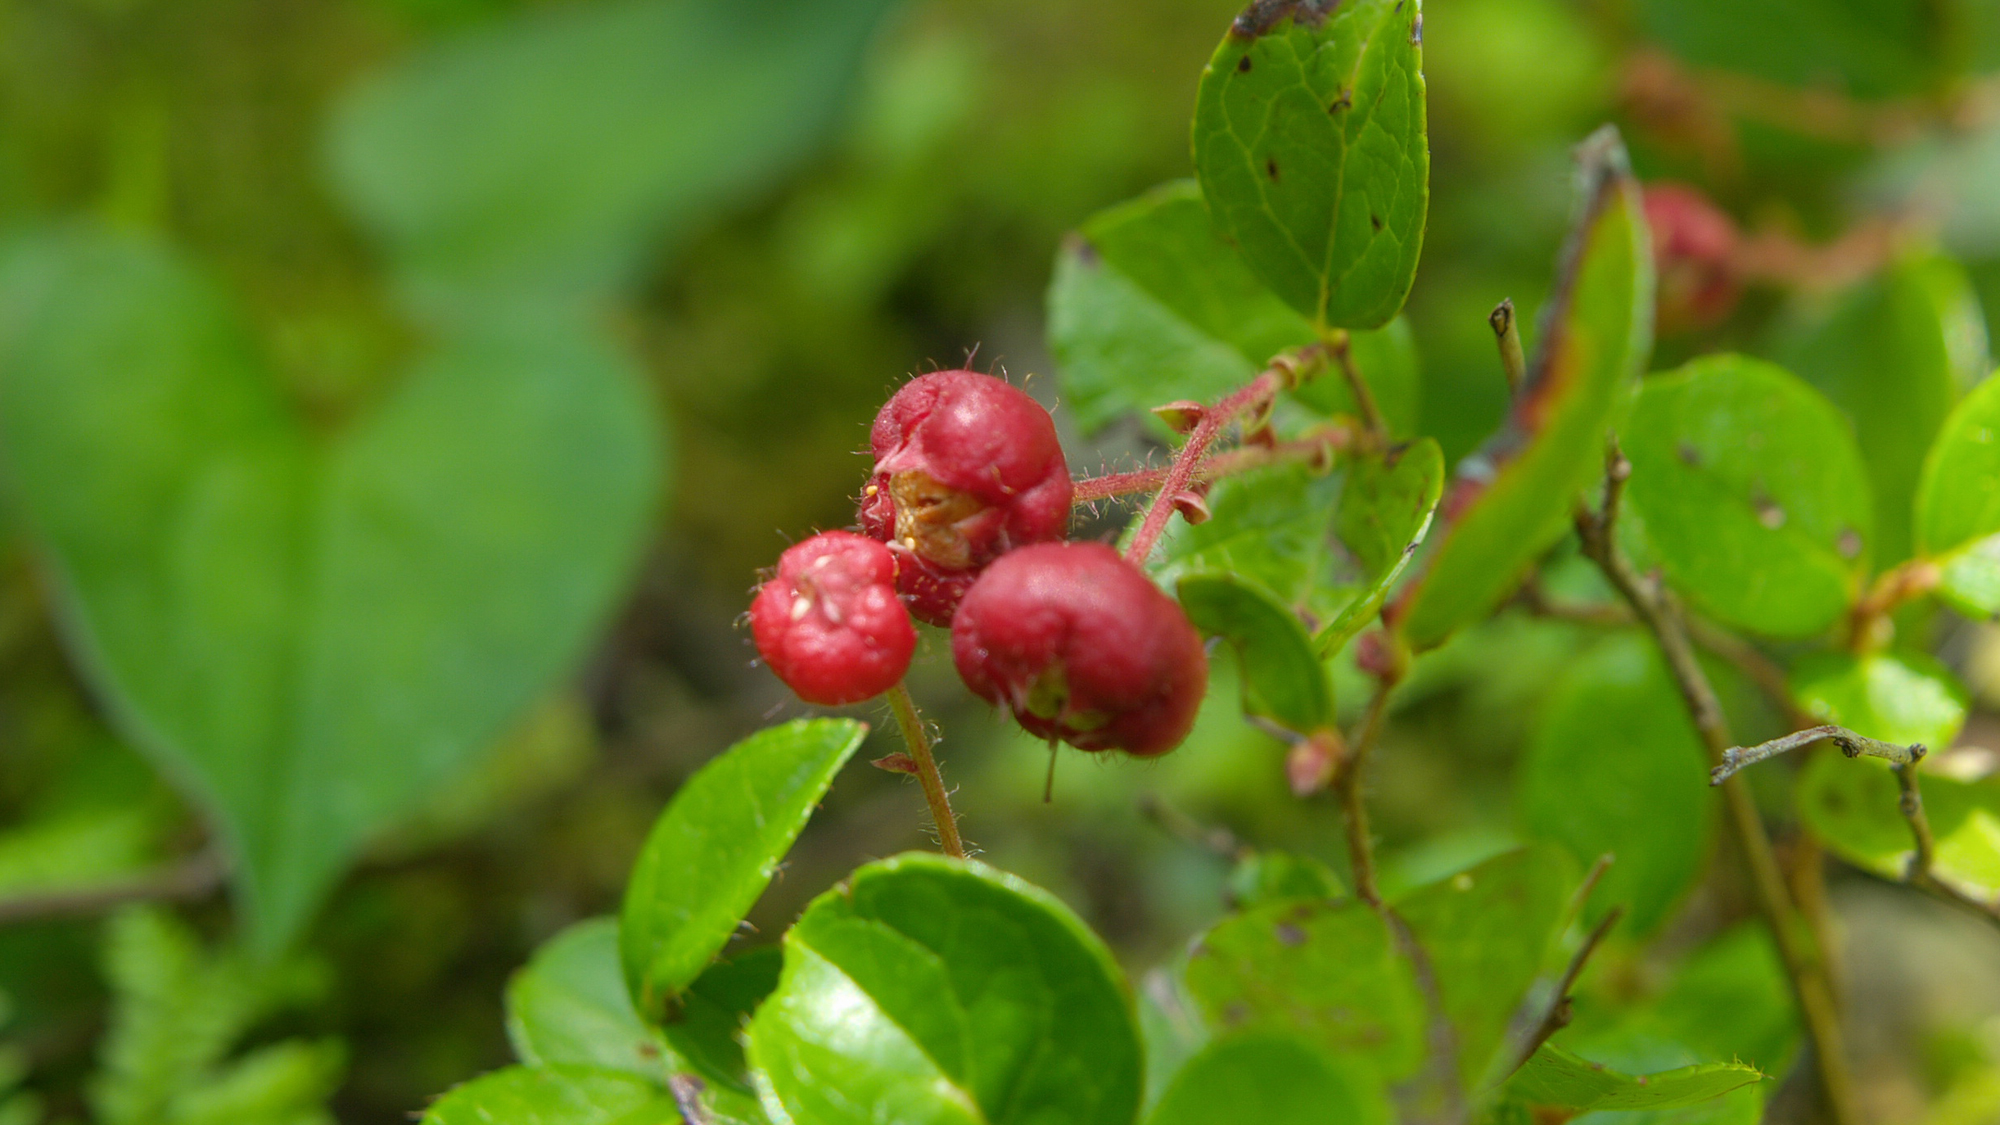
(1803, 964)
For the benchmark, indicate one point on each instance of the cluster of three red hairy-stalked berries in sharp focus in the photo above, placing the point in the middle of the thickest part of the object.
(965, 525)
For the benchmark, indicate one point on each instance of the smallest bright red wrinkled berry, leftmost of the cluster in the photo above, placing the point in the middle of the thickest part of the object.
(829, 624)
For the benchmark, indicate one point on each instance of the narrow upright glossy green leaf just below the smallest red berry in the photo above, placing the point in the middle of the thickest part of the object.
(715, 850)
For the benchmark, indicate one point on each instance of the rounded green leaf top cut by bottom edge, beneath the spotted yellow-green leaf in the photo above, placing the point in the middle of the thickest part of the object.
(1273, 1080)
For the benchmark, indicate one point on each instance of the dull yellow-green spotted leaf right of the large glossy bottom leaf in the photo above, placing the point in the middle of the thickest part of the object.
(1327, 972)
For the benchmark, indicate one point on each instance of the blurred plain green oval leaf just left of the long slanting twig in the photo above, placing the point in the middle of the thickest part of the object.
(1615, 768)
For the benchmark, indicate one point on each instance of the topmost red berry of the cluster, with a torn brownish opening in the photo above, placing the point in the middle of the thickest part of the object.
(967, 469)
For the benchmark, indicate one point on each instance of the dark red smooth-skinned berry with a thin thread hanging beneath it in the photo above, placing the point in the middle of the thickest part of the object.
(1081, 648)
